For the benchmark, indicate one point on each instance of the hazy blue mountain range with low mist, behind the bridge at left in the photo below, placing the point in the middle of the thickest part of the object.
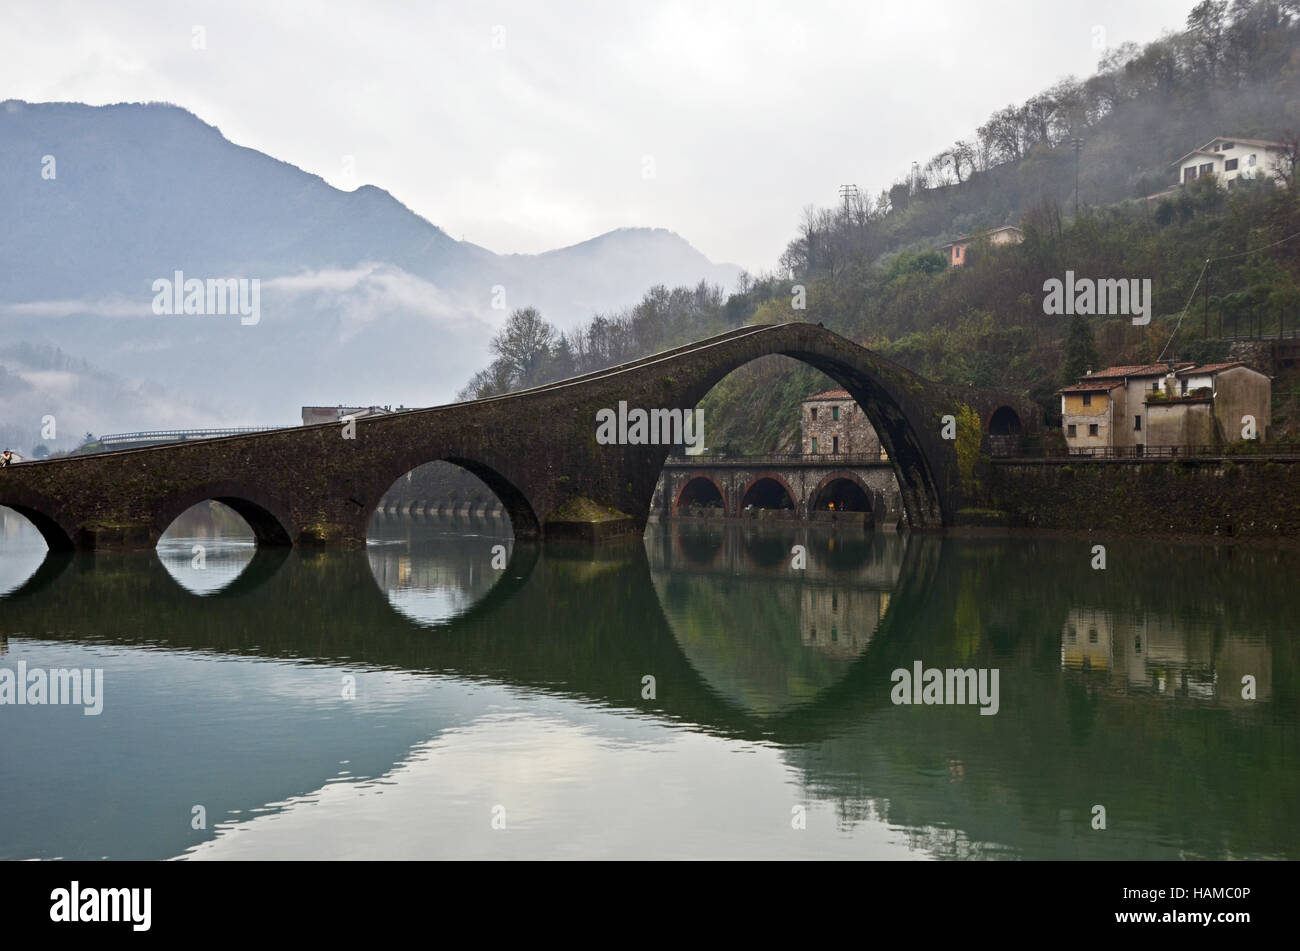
(362, 301)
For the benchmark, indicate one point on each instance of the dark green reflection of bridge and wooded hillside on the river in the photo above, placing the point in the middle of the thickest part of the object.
(725, 641)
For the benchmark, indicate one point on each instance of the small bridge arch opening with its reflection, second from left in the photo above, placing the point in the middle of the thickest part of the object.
(209, 546)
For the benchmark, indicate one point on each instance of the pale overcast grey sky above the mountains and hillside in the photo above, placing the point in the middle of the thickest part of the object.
(536, 125)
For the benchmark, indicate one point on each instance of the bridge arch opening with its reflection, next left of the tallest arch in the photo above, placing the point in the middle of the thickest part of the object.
(441, 539)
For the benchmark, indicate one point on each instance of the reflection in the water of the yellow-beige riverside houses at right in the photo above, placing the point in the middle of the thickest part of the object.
(1152, 653)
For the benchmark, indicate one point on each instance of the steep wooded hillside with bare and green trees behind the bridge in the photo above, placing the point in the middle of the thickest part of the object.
(872, 273)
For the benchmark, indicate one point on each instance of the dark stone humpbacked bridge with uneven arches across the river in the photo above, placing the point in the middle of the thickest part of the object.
(535, 449)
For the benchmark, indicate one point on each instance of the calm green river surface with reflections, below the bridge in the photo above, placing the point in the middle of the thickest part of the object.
(447, 693)
